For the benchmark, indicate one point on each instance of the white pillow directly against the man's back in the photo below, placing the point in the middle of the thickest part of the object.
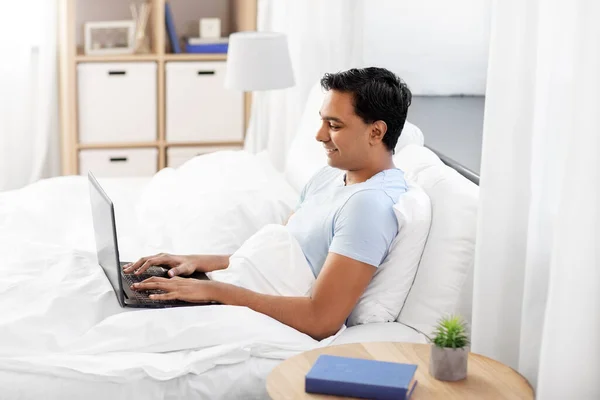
(386, 294)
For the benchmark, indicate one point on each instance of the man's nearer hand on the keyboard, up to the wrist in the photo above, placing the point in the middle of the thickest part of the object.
(177, 288)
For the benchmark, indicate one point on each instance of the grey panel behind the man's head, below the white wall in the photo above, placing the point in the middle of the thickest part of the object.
(452, 125)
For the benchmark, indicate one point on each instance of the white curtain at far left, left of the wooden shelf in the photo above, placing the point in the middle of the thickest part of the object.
(28, 93)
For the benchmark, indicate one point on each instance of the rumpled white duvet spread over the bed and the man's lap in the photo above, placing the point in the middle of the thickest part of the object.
(59, 314)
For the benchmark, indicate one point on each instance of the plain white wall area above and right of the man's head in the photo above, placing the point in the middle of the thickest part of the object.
(439, 47)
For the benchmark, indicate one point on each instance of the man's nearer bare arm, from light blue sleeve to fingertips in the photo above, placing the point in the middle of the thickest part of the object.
(337, 290)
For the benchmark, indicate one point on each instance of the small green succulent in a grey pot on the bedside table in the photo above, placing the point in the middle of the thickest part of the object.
(449, 352)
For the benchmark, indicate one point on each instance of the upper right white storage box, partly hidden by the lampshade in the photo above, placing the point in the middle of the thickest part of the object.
(198, 107)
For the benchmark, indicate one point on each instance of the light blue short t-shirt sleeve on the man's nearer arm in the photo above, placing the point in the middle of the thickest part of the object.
(365, 228)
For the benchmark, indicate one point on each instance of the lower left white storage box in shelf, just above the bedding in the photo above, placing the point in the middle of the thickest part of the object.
(118, 162)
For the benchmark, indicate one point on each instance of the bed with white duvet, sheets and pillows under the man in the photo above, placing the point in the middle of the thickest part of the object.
(64, 336)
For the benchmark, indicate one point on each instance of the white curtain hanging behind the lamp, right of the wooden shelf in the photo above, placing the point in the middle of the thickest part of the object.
(323, 36)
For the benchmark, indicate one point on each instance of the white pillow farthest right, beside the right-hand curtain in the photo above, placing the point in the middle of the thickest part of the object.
(442, 280)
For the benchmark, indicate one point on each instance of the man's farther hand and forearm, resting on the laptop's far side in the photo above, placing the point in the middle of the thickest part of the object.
(179, 265)
